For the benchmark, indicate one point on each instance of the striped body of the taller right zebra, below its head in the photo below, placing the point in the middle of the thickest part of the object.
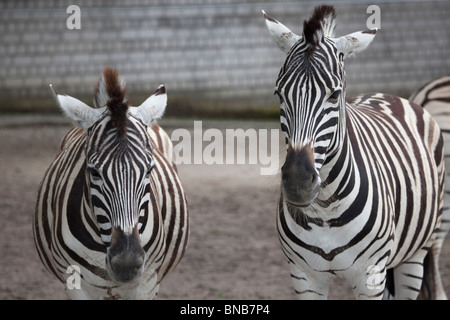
(320, 238)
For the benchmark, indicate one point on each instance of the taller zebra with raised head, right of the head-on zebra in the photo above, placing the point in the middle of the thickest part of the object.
(362, 184)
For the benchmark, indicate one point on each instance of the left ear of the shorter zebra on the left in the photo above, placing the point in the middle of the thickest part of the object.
(80, 113)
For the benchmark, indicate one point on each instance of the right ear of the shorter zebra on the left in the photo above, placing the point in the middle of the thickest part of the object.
(153, 108)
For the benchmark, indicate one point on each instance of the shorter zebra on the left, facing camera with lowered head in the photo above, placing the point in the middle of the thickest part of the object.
(111, 209)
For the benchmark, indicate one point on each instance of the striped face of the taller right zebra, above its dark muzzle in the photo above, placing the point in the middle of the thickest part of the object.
(309, 87)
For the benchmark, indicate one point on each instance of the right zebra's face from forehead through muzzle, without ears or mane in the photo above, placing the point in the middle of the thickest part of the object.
(310, 86)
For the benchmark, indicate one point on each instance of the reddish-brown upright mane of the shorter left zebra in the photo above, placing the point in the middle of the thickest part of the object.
(111, 91)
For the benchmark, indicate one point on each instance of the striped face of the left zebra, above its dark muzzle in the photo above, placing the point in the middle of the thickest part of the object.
(119, 173)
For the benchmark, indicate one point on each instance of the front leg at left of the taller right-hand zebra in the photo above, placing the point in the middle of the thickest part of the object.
(308, 287)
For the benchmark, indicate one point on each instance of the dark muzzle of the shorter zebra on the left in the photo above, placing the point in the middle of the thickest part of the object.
(125, 256)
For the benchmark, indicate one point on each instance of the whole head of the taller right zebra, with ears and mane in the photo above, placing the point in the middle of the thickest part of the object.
(311, 88)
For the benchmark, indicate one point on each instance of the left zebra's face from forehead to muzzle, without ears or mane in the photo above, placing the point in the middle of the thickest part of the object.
(118, 171)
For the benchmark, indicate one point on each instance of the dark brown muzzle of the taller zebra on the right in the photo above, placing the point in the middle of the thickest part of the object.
(300, 181)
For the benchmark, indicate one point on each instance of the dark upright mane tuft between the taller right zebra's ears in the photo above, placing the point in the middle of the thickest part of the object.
(321, 24)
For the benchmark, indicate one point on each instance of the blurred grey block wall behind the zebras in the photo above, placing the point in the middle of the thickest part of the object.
(216, 51)
